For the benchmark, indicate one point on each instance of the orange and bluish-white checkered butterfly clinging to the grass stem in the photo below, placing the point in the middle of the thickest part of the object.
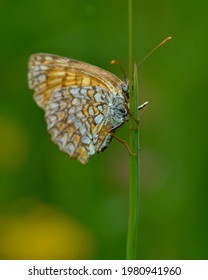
(83, 104)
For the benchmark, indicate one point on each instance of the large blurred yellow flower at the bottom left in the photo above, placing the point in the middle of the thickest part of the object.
(44, 233)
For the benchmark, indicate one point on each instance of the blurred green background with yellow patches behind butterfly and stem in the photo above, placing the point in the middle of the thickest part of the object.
(52, 207)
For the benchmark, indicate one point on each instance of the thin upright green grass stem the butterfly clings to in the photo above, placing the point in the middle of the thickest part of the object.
(134, 146)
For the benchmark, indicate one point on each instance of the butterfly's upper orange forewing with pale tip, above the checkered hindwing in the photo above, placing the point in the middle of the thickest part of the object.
(49, 72)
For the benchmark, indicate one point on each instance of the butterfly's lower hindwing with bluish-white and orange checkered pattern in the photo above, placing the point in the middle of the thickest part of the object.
(75, 120)
